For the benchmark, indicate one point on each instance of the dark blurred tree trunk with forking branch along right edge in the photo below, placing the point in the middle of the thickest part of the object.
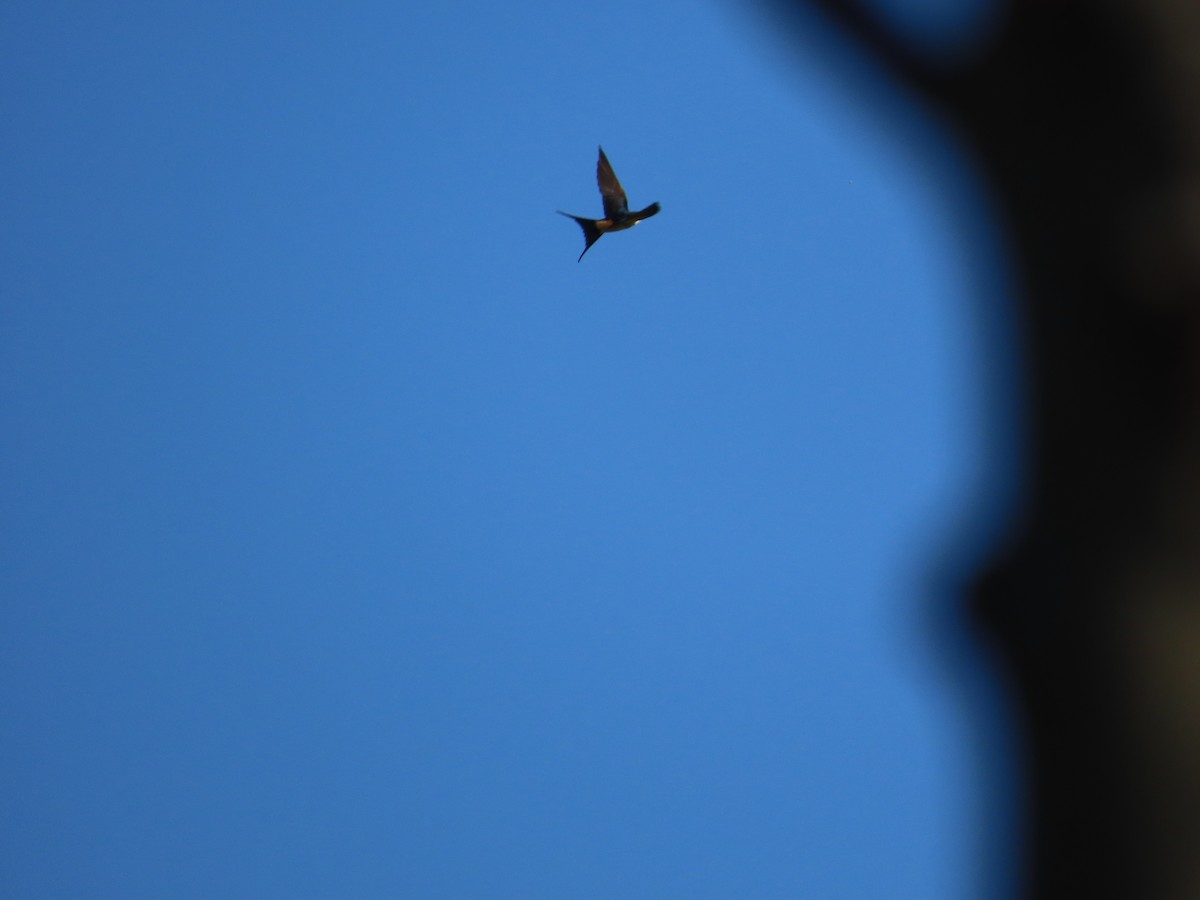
(1087, 119)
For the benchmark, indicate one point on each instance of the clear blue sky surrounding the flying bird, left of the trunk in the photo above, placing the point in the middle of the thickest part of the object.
(361, 543)
